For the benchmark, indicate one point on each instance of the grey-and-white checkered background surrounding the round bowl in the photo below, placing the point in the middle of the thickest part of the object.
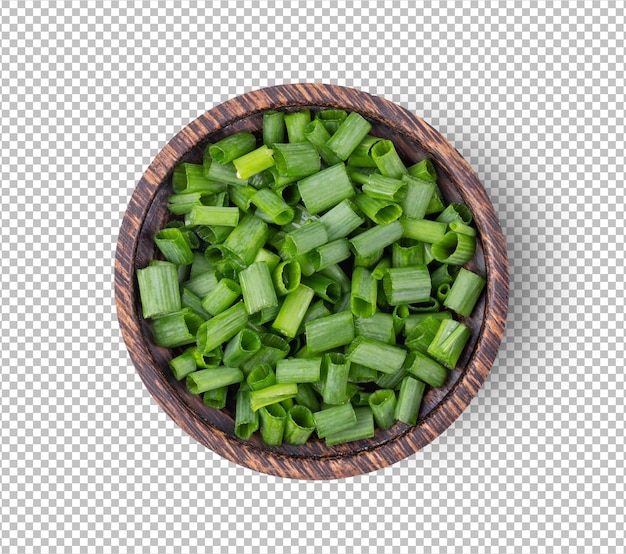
(533, 97)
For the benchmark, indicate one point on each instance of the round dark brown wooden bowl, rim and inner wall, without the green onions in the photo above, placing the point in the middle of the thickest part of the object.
(414, 139)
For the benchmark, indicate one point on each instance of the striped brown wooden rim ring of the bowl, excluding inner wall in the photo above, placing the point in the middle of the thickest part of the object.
(469, 186)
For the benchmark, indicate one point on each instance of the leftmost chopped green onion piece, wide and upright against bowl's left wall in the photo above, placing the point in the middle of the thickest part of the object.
(158, 289)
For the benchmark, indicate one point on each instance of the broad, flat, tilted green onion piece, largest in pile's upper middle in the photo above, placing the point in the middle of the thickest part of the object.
(325, 189)
